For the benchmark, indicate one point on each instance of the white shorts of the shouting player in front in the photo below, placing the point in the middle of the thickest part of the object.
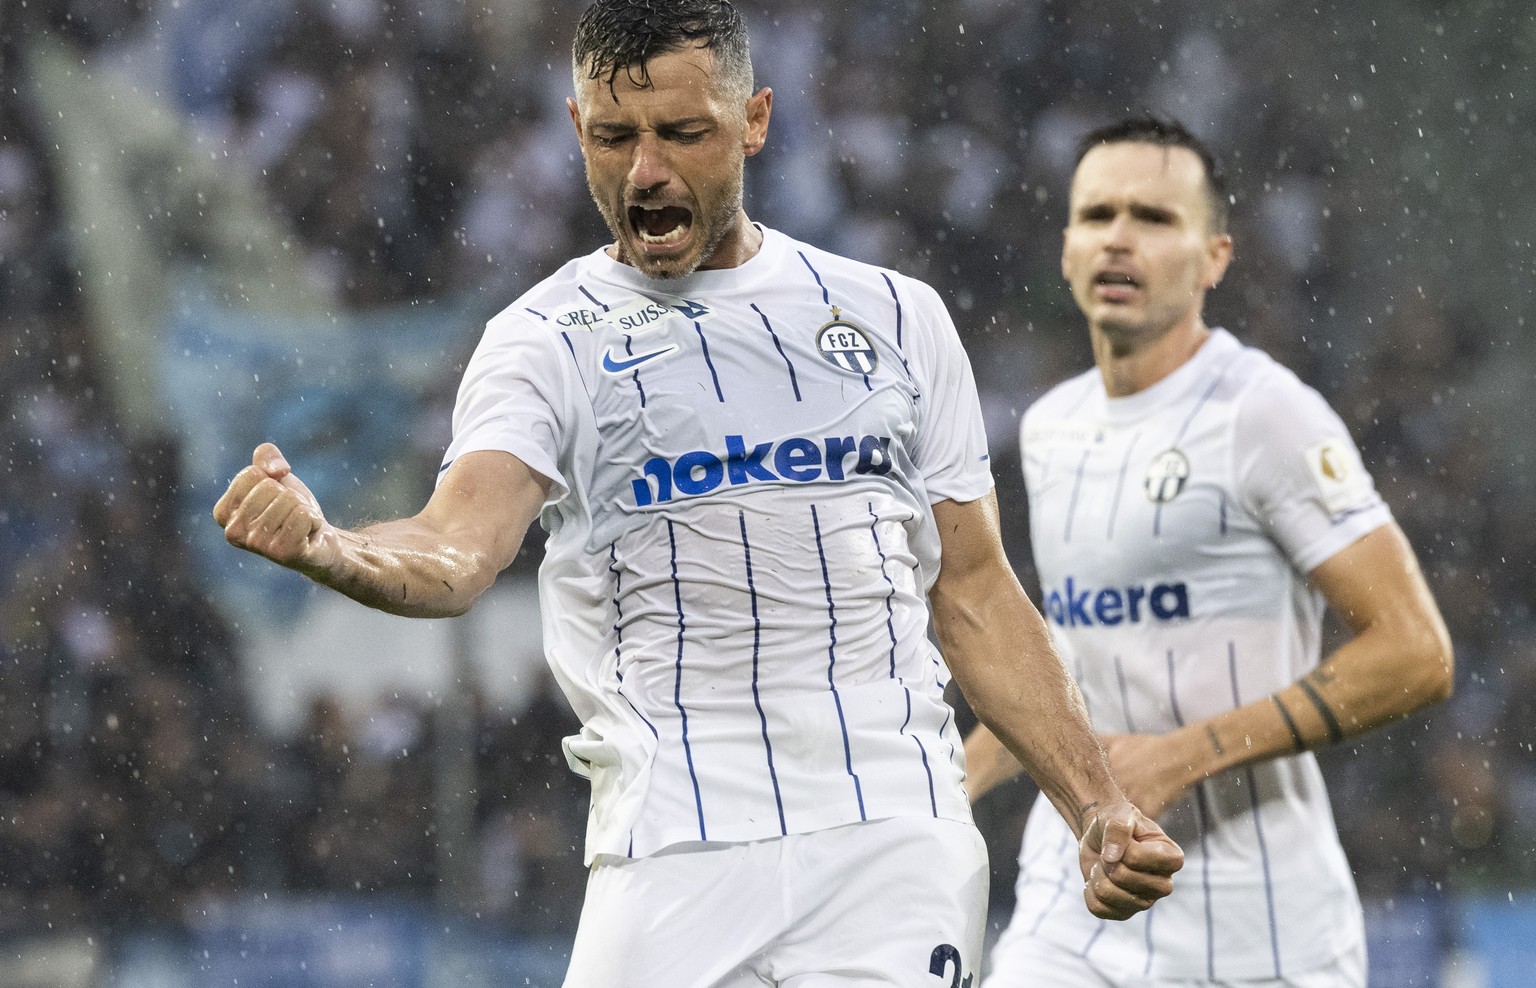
(887, 904)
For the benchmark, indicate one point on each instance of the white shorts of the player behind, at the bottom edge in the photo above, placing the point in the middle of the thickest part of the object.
(1034, 963)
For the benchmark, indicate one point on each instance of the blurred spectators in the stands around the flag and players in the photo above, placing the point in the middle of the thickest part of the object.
(415, 150)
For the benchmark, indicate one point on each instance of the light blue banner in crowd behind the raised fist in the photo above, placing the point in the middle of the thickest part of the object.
(359, 403)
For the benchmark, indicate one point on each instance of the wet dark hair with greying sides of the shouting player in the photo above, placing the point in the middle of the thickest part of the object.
(623, 36)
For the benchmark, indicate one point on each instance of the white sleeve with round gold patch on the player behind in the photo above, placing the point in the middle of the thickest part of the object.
(1300, 472)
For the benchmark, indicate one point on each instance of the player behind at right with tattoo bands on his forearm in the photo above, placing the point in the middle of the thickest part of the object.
(1193, 509)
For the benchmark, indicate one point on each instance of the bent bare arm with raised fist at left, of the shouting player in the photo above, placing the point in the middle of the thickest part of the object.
(434, 565)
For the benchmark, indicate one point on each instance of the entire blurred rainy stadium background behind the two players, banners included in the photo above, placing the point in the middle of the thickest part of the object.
(233, 220)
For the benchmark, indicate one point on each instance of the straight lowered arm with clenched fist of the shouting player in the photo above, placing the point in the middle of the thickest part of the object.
(1002, 658)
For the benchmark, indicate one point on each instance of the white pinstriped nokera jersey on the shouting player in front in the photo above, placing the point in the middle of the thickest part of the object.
(741, 539)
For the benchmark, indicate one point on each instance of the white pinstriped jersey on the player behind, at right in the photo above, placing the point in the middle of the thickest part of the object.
(1174, 532)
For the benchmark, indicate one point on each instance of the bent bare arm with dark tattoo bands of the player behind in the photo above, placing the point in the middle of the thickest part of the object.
(1399, 661)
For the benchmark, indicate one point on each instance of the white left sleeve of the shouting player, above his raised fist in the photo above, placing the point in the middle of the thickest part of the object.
(512, 400)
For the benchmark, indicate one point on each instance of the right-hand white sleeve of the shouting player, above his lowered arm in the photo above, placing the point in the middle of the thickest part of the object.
(950, 448)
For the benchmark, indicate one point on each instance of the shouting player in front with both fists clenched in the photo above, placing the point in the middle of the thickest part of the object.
(763, 469)
